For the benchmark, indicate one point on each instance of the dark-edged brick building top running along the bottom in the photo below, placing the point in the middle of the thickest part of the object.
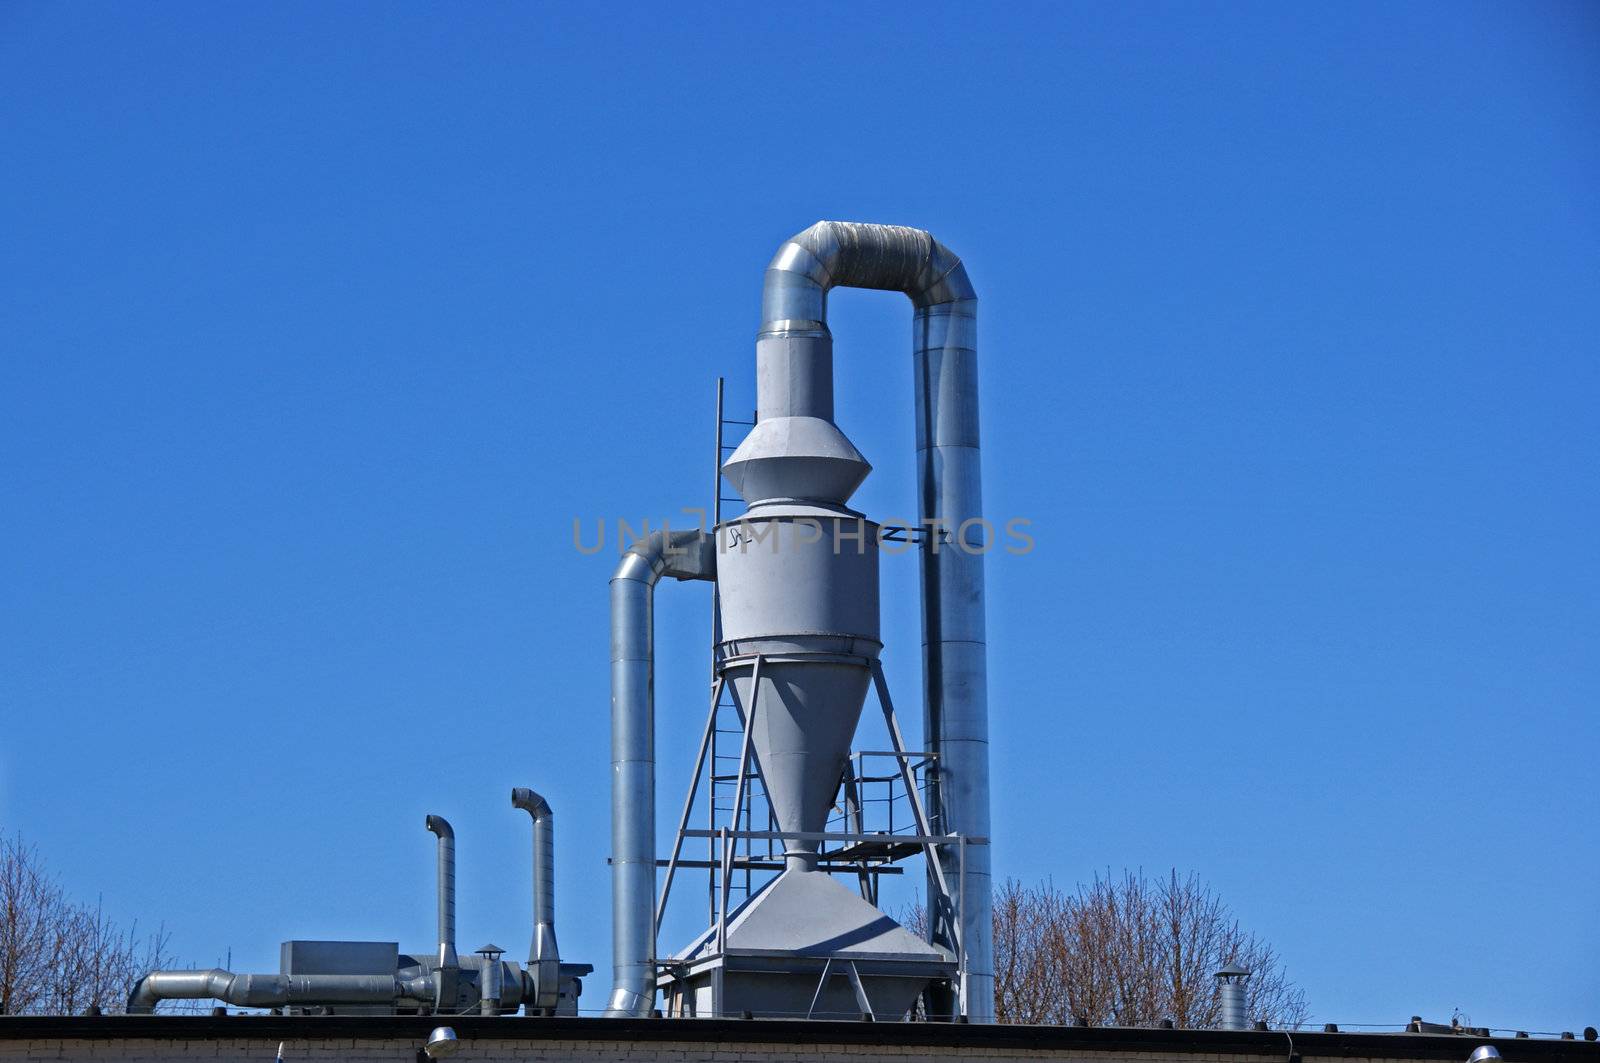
(489, 1040)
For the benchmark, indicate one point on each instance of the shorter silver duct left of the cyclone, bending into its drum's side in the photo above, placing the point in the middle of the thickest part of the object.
(684, 556)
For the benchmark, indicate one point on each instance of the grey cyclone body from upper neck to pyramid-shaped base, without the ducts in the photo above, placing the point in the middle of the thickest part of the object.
(799, 593)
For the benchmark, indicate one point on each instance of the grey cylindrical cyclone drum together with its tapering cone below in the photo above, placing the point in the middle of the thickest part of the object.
(799, 590)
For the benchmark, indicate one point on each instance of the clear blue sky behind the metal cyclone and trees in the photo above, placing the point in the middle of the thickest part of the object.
(321, 324)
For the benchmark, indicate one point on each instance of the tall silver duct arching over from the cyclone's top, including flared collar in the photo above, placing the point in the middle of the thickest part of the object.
(796, 444)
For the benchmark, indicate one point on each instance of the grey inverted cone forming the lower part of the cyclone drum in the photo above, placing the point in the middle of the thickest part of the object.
(806, 718)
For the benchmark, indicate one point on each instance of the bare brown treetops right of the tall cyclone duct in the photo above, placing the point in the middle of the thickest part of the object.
(1127, 952)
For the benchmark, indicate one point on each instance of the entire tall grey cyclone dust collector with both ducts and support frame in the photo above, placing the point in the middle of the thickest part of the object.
(798, 649)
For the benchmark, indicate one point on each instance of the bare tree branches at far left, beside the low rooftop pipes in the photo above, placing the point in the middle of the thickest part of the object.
(58, 958)
